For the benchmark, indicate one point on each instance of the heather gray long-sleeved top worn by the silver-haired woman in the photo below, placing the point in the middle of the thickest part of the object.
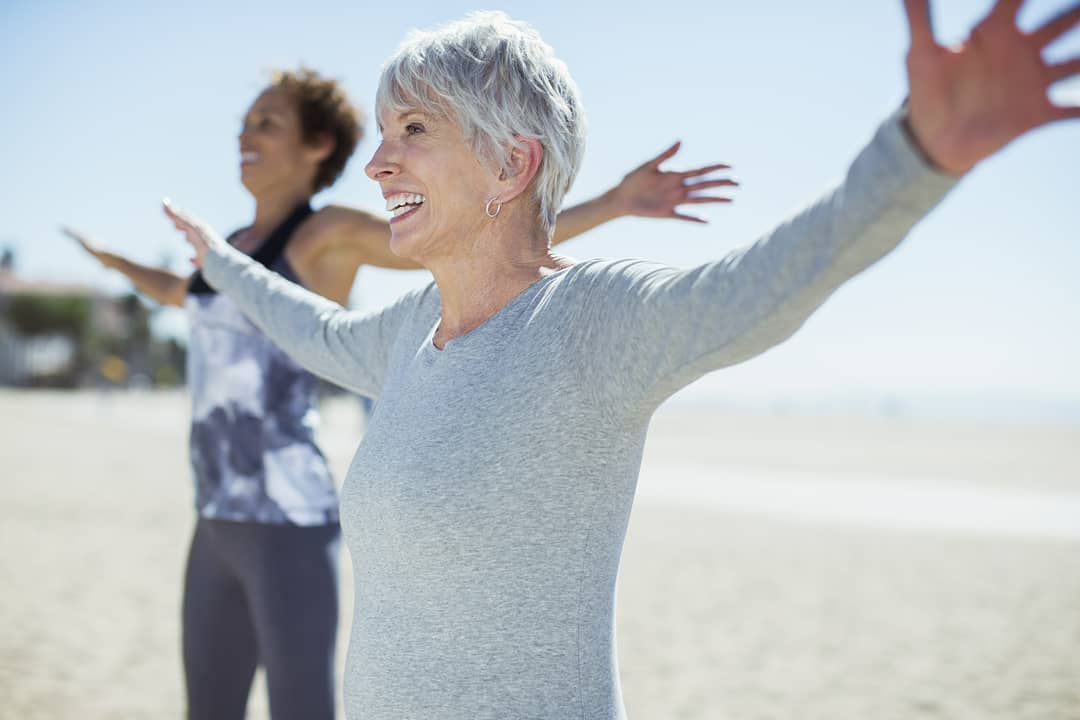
(487, 507)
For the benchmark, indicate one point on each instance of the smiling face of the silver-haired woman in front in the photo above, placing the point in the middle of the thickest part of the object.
(435, 185)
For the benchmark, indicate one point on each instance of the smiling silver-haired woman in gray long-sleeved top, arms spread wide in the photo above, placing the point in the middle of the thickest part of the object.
(487, 508)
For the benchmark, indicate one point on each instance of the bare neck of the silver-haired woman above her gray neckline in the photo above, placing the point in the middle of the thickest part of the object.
(477, 281)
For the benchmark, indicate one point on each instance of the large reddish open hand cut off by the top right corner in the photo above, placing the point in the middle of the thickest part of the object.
(970, 101)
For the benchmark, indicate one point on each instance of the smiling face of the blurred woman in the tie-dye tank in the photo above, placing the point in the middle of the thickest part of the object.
(273, 152)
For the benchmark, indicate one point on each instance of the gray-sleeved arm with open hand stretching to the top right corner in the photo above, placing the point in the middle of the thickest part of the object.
(966, 103)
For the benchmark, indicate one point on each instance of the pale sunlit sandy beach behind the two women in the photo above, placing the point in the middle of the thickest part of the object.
(776, 567)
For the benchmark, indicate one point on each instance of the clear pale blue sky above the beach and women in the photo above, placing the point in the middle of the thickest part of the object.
(114, 105)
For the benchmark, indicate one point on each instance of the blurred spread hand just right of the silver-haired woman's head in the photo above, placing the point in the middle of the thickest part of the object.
(649, 192)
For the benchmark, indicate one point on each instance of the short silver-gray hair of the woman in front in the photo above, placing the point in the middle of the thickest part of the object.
(501, 83)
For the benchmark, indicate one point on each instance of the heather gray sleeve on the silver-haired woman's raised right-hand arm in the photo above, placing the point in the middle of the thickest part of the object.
(666, 328)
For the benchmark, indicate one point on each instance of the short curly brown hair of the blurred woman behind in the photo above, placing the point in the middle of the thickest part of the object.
(325, 110)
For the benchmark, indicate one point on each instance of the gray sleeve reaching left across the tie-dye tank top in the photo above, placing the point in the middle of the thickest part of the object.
(347, 348)
